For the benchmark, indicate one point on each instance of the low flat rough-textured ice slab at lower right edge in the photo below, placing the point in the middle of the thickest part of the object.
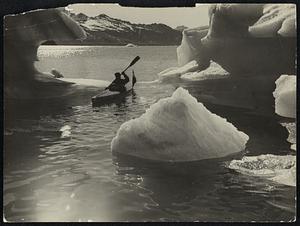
(281, 169)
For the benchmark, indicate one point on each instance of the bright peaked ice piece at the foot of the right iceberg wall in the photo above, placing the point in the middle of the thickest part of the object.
(212, 72)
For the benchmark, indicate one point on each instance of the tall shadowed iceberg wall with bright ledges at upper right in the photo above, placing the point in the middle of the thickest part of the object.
(244, 38)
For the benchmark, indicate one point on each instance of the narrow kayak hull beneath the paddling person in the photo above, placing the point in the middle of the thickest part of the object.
(108, 96)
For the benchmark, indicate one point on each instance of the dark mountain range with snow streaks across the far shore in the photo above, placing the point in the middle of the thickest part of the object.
(105, 30)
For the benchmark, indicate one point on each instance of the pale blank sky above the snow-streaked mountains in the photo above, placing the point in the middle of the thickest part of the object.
(173, 16)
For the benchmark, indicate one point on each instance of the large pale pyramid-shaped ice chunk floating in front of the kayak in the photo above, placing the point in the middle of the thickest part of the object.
(178, 128)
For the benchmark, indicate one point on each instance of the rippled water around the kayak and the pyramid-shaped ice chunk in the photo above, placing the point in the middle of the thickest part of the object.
(49, 178)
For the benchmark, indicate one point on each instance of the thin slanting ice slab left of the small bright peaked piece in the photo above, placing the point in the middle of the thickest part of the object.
(176, 72)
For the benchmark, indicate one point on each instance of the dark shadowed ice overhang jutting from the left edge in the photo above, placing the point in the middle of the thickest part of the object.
(23, 33)
